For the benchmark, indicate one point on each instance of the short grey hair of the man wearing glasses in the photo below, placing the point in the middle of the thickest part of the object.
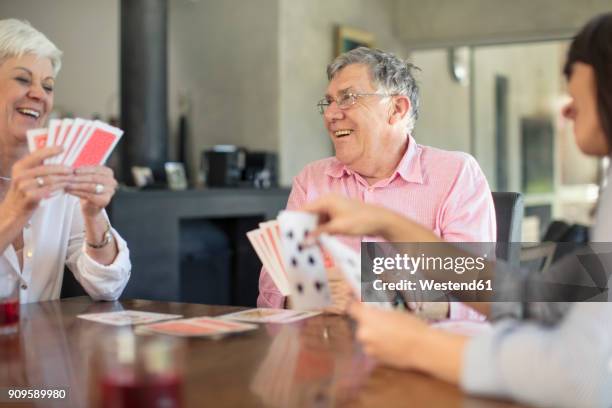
(389, 73)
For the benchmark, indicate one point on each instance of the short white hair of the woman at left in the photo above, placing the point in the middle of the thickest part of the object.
(18, 38)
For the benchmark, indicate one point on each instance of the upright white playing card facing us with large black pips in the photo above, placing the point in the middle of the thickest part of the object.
(305, 265)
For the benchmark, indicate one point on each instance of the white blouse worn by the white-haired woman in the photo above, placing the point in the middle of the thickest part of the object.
(55, 237)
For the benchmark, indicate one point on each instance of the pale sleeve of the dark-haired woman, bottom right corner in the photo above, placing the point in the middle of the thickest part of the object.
(568, 365)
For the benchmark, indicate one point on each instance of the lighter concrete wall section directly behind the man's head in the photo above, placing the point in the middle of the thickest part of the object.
(305, 48)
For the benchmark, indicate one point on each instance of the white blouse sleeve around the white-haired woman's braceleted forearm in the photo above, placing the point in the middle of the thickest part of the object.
(101, 282)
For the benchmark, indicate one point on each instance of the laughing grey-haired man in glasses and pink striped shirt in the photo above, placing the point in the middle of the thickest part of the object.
(369, 110)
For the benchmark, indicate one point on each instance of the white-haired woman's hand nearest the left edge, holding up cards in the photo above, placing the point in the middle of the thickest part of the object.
(32, 181)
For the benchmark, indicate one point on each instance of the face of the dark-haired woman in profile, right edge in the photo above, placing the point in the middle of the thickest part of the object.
(588, 131)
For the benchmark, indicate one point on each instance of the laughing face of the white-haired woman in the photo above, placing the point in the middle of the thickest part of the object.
(26, 95)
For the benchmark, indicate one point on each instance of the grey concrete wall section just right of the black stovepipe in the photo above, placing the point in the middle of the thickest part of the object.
(224, 61)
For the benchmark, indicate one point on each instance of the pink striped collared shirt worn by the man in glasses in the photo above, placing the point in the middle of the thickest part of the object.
(444, 191)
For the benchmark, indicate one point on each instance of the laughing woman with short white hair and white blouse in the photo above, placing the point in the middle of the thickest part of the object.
(42, 231)
